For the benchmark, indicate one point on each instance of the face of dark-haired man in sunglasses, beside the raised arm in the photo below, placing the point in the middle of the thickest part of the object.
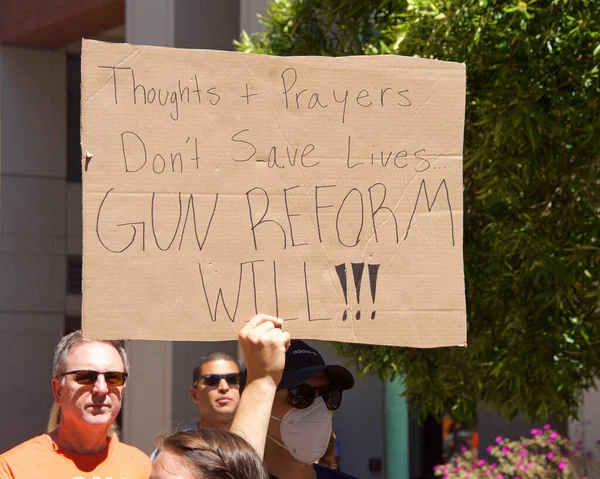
(216, 403)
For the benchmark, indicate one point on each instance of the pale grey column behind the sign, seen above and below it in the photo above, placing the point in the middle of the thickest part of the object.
(153, 402)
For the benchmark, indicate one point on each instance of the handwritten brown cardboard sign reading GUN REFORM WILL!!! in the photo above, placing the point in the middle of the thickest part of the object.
(325, 191)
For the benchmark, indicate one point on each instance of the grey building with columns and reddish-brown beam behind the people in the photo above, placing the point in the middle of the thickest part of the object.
(40, 232)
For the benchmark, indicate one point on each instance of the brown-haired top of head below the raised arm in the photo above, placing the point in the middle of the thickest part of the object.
(215, 454)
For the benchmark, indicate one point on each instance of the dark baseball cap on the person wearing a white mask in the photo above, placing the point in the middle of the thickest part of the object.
(303, 361)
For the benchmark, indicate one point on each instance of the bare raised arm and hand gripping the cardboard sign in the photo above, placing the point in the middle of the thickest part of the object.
(263, 345)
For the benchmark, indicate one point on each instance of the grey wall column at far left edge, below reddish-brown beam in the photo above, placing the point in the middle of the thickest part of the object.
(32, 225)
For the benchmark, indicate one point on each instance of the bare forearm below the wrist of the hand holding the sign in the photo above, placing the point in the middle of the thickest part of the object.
(254, 412)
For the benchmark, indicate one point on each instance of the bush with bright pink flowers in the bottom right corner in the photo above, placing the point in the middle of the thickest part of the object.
(544, 455)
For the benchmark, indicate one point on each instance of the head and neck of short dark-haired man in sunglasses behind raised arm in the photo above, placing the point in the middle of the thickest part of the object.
(215, 389)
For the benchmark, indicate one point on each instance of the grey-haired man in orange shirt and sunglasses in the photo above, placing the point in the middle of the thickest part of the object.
(88, 385)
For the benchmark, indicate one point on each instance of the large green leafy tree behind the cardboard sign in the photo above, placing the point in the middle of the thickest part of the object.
(531, 189)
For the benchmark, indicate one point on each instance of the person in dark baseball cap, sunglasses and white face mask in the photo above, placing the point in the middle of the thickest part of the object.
(301, 417)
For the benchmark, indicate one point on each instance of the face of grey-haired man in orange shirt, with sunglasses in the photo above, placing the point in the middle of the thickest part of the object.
(97, 404)
